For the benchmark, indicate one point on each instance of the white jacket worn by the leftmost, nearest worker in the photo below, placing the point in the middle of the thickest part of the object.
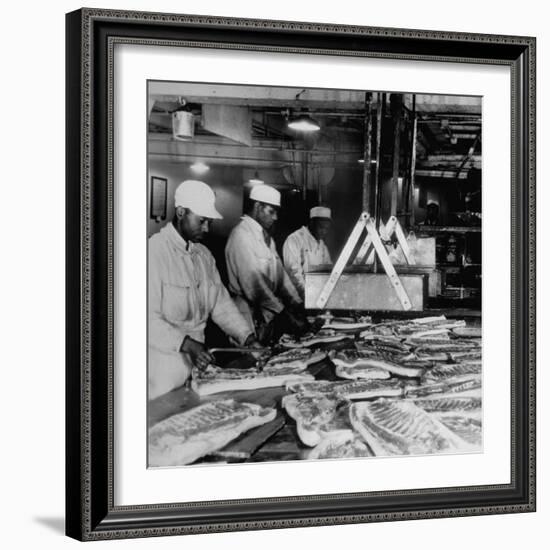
(184, 290)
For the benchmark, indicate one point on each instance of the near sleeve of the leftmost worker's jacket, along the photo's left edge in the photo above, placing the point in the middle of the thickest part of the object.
(162, 334)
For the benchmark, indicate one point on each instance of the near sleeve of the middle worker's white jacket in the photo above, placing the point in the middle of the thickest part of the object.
(243, 263)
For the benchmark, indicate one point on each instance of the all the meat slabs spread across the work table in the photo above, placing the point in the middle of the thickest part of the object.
(403, 388)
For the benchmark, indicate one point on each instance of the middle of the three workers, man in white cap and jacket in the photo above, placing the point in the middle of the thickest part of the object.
(258, 281)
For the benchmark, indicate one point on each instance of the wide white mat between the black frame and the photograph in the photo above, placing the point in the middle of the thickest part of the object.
(133, 482)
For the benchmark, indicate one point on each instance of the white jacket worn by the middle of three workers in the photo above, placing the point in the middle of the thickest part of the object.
(257, 278)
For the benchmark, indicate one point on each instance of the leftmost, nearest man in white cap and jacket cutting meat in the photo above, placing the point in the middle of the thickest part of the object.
(184, 291)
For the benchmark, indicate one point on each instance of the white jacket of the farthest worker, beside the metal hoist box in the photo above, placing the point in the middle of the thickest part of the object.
(301, 251)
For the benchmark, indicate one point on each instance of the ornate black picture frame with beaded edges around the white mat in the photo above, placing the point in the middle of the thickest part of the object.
(90, 509)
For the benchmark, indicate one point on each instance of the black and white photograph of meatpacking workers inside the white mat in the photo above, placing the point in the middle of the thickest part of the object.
(314, 273)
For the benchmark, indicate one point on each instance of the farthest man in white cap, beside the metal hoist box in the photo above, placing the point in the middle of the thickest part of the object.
(306, 247)
